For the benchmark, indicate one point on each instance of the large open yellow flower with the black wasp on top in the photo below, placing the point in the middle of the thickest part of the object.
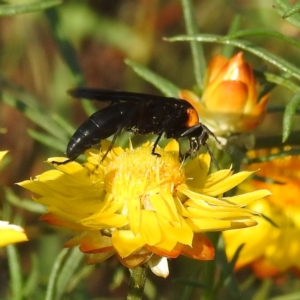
(141, 207)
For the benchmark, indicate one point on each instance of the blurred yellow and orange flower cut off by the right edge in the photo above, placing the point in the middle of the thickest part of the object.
(269, 249)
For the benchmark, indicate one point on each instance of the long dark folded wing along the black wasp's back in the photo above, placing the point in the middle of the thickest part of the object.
(109, 95)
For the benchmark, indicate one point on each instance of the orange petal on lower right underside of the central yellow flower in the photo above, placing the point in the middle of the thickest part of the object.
(202, 248)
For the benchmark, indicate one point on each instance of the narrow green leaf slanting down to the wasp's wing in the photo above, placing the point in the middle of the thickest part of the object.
(165, 86)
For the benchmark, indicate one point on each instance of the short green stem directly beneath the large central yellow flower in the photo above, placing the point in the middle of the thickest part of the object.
(137, 282)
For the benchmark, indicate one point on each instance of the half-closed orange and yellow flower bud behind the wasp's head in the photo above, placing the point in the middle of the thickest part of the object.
(229, 102)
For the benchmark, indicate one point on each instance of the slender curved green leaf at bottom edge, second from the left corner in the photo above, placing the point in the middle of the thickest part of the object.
(55, 272)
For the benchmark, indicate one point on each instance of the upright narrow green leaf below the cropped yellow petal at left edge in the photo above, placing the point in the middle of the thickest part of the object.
(15, 272)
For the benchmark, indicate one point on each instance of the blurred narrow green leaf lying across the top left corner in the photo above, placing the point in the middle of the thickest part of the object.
(9, 10)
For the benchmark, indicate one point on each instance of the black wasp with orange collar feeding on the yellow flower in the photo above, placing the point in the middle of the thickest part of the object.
(140, 114)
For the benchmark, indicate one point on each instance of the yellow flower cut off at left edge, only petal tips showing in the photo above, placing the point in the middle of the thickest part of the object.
(10, 234)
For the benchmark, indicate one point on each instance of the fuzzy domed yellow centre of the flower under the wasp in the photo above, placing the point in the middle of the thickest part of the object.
(135, 174)
